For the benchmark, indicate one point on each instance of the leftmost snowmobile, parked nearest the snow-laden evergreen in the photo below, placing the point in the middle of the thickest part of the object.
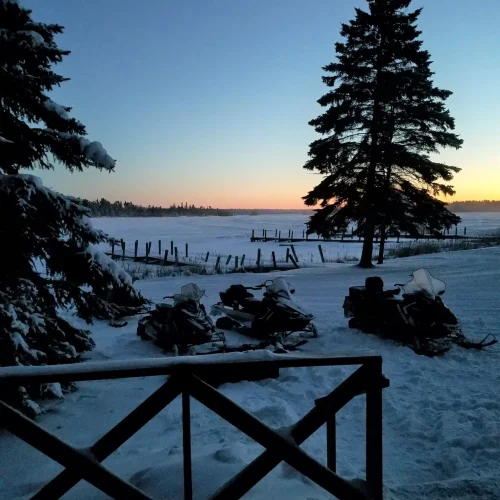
(181, 326)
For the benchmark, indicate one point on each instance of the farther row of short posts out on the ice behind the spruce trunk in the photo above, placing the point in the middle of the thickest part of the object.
(267, 235)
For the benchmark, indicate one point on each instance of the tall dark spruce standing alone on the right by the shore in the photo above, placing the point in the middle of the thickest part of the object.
(384, 118)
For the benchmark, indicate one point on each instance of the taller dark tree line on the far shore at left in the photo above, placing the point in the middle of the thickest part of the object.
(105, 208)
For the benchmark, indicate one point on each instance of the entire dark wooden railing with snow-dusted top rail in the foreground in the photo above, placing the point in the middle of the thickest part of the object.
(192, 377)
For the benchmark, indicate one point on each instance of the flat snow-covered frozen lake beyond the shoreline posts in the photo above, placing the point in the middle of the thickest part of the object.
(231, 235)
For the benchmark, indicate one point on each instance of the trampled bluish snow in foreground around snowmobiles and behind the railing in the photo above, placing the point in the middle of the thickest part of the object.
(441, 415)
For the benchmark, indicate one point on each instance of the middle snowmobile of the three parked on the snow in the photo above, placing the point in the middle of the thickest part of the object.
(275, 316)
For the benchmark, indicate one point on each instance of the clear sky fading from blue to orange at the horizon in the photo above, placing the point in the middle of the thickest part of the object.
(208, 101)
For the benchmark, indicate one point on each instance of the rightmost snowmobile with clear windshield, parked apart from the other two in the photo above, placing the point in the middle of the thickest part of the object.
(419, 319)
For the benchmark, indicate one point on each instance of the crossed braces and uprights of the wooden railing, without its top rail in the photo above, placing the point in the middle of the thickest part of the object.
(280, 446)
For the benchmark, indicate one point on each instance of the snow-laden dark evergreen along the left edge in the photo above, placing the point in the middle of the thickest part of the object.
(47, 254)
